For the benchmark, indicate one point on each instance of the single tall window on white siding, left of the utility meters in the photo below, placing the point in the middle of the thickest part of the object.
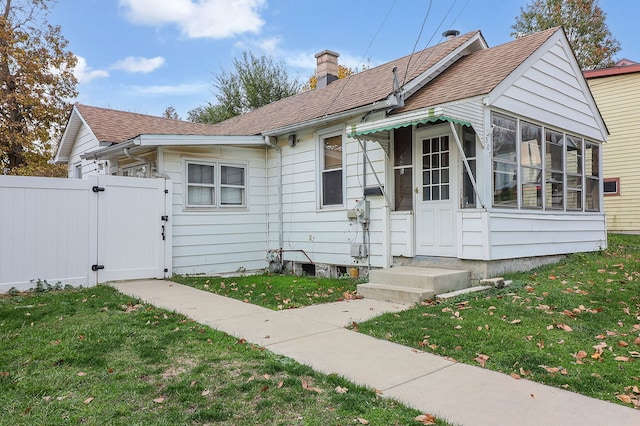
(332, 149)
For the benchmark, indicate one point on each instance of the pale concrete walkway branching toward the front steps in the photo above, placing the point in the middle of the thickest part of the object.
(316, 336)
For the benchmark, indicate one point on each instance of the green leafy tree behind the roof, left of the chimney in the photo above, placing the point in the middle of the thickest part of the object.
(251, 83)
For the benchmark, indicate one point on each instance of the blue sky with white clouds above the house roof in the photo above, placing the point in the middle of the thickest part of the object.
(144, 55)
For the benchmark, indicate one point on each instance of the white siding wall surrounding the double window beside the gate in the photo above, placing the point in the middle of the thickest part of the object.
(223, 240)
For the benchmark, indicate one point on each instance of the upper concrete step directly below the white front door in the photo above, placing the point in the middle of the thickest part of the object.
(438, 280)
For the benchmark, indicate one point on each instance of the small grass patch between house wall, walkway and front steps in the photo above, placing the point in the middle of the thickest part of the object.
(276, 291)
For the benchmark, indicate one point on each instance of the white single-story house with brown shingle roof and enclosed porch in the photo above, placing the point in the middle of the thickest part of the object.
(459, 154)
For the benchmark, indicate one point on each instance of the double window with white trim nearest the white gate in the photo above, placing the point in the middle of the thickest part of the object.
(214, 185)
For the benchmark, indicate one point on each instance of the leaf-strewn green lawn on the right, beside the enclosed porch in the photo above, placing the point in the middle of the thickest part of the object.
(574, 325)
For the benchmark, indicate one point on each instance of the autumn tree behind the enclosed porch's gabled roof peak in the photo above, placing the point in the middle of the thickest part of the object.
(584, 22)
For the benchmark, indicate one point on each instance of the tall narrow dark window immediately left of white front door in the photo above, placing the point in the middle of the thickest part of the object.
(403, 168)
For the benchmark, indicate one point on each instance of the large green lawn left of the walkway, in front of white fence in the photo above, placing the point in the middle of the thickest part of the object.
(95, 356)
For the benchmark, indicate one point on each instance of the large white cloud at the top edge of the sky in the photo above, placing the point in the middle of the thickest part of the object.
(201, 18)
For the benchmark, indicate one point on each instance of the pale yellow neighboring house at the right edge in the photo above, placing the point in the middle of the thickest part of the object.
(617, 93)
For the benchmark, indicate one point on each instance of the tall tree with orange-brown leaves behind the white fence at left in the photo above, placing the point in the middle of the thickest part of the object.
(36, 85)
